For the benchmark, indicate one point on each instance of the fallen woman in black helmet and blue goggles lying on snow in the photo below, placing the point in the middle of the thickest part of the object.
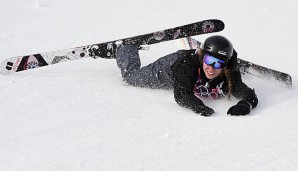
(208, 72)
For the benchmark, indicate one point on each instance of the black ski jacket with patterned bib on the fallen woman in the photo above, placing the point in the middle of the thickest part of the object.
(191, 84)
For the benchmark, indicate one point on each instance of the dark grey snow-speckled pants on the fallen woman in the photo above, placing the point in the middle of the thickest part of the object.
(154, 75)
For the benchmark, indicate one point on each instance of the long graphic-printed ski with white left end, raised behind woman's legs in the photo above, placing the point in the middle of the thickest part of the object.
(105, 49)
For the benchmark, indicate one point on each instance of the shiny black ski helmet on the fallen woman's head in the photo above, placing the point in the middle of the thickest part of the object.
(218, 46)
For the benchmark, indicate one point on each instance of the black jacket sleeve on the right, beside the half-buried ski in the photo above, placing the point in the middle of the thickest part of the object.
(242, 91)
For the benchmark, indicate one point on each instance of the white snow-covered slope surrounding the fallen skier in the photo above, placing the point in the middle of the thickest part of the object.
(79, 115)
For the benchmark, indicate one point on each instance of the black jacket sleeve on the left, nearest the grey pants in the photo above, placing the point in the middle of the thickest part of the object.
(185, 75)
